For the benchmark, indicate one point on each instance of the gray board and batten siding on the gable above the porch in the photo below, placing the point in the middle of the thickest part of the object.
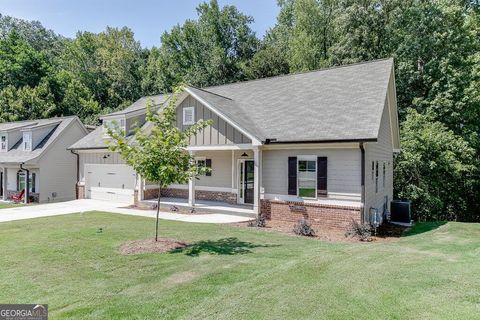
(218, 133)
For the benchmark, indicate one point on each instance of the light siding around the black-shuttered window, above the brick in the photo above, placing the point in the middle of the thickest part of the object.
(343, 167)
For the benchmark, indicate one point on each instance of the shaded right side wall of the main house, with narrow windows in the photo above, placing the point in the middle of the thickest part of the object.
(381, 151)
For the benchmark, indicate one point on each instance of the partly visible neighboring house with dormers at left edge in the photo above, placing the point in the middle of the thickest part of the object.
(37, 149)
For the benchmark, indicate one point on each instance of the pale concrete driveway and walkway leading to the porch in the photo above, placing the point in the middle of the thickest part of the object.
(84, 205)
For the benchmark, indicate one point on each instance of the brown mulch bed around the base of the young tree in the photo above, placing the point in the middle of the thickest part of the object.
(151, 246)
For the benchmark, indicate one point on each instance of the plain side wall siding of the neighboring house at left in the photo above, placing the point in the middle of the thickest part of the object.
(58, 167)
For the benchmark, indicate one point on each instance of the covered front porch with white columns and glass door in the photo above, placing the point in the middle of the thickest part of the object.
(232, 186)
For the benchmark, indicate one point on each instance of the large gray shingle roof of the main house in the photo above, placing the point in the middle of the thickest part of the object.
(336, 104)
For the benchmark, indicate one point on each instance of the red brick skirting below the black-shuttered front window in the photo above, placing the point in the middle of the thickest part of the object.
(320, 215)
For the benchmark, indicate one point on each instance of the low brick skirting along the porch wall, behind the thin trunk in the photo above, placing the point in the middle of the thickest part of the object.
(199, 195)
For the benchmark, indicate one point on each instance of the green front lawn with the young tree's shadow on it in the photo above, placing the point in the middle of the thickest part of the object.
(236, 273)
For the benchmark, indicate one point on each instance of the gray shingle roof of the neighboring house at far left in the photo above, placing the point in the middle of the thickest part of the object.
(16, 153)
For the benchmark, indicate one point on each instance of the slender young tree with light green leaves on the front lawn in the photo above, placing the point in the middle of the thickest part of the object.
(158, 151)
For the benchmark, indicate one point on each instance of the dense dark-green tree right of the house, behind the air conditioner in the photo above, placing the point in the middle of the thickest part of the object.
(435, 171)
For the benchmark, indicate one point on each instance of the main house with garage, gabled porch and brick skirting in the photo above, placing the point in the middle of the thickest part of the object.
(319, 144)
